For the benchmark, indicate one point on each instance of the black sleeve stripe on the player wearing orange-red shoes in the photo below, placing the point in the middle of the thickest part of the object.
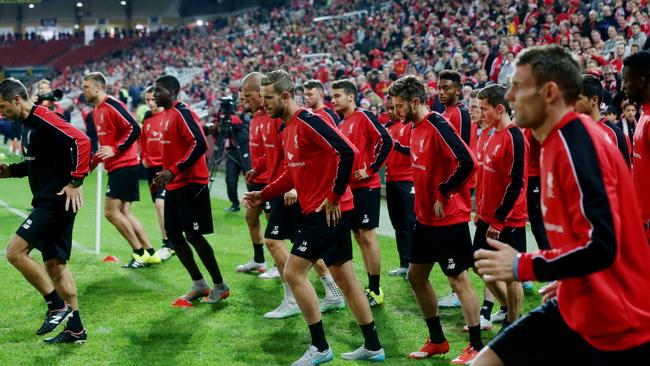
(460, 151)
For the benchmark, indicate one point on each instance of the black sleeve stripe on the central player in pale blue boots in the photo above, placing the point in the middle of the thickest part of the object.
(345, 151)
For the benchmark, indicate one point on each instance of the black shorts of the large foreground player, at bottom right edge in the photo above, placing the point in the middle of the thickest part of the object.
(522, 343)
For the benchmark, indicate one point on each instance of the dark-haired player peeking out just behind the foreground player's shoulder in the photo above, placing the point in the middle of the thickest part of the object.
(589, 102)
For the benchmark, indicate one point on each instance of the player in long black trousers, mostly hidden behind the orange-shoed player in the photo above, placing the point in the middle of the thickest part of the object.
(400, 194)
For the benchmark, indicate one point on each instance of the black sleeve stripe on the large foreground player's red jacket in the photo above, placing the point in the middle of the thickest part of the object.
(599, 251)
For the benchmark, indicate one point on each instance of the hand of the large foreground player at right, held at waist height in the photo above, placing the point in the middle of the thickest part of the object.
(498, 264)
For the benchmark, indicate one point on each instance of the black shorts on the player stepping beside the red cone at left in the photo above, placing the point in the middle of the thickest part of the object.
(187, 209)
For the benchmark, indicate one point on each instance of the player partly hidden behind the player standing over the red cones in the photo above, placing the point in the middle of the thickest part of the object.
(151, 156)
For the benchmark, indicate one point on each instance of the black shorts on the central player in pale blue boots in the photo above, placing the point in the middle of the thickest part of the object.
(316, 240)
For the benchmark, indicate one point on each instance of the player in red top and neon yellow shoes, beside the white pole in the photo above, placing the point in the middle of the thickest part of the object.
(118, 133)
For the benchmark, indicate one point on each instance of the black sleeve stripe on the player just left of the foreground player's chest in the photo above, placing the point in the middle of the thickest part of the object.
(516, 186)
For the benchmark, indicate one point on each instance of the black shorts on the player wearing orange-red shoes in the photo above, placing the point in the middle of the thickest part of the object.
(450, 246)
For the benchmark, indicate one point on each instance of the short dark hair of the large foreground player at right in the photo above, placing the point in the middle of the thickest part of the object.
(554, 63)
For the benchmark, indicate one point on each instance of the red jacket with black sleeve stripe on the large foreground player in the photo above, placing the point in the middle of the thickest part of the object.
(599, 253)
